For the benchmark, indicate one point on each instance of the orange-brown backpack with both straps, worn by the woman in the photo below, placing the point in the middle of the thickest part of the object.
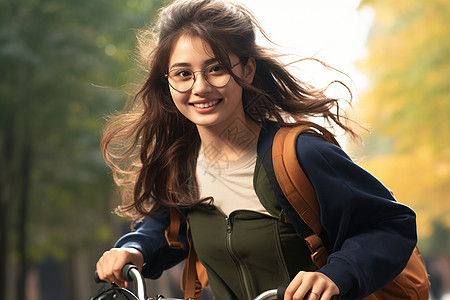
(411, 284)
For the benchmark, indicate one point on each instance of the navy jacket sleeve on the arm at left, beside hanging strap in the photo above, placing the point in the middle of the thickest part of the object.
(149, 238)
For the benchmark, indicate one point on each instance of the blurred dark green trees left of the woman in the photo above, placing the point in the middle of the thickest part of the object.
(54, 186)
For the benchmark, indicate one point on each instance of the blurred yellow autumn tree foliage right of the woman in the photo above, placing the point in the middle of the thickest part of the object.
(408, 106)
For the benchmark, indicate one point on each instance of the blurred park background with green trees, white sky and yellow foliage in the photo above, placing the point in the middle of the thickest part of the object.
(65, 65)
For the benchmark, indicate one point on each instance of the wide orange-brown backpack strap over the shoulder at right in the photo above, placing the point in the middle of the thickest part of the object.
(296, 186)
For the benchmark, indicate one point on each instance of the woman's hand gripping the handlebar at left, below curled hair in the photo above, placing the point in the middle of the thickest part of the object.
(109, 266)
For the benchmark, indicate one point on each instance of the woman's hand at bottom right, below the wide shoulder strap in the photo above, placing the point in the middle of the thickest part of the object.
(311, 286)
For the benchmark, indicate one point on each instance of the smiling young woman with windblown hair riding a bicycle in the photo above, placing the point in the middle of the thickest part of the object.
(189, 139)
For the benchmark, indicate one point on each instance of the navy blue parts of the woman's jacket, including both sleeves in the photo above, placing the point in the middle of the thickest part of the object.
(368, 234)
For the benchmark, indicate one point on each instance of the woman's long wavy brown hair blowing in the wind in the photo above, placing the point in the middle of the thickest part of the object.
(152, 148)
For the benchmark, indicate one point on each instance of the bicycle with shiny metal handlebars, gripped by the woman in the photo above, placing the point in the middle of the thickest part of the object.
(132, 274)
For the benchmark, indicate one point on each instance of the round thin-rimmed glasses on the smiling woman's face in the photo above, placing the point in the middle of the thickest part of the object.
(182, 79)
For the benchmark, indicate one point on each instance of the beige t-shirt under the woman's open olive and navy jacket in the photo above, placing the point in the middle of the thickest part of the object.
(229, 183)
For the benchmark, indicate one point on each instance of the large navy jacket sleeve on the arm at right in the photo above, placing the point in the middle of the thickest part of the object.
(370, 236)
